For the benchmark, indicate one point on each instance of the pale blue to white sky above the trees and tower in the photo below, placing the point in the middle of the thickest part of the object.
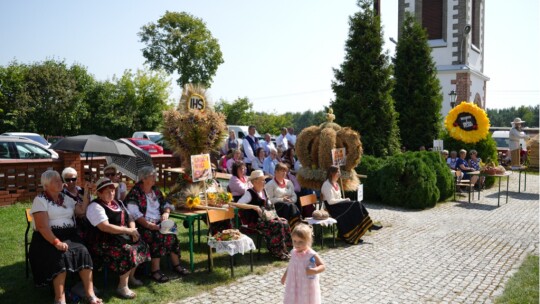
(279, 54)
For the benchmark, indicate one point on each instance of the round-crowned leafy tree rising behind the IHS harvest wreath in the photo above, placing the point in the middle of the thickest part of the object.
(180, 42)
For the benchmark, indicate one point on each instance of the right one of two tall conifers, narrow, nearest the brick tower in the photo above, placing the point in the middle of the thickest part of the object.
(416, 93)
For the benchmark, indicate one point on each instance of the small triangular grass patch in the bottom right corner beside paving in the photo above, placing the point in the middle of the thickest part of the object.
(523, 287)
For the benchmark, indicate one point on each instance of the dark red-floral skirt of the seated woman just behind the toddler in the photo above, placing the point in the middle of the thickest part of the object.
(277, 234)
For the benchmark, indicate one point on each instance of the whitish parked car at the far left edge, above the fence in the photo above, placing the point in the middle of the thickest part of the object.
(18, 147)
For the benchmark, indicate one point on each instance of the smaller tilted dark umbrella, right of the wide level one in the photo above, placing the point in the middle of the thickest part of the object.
(130, 165)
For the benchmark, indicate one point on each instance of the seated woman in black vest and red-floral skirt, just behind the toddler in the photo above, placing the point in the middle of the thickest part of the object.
(276, 231)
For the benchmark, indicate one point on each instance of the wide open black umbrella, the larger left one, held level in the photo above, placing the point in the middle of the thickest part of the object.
(92, 144)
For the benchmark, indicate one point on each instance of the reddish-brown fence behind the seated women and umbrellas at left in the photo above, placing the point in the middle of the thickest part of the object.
(20, 180)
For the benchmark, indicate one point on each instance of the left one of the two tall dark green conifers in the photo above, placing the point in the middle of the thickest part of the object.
(362, 85)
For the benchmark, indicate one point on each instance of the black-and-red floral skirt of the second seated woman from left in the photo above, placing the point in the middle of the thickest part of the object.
(120, 255)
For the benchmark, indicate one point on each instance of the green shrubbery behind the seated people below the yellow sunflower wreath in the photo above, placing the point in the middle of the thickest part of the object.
(486, 148)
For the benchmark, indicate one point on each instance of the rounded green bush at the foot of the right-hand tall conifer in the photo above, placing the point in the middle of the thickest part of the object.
(407, 181)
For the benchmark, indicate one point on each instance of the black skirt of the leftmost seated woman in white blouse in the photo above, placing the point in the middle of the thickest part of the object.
(47, 262)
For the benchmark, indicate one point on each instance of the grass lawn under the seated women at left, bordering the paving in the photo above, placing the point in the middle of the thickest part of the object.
(15, 288)
